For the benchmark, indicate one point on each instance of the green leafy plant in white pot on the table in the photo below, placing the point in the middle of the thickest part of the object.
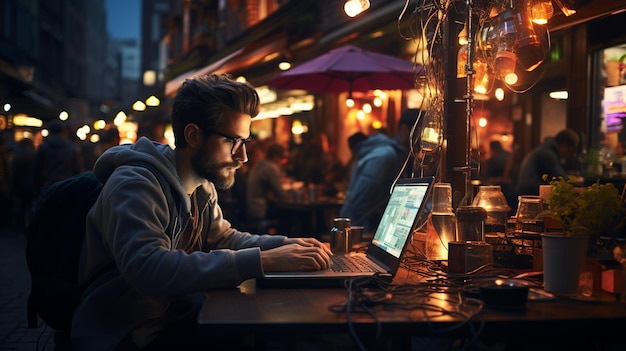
(585, 214)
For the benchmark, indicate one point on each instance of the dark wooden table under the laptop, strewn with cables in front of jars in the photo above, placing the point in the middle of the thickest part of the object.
(400, 318)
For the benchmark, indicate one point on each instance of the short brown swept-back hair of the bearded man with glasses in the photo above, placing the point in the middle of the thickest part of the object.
(205, 100)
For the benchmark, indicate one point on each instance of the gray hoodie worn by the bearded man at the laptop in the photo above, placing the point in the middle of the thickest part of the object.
(147, 276)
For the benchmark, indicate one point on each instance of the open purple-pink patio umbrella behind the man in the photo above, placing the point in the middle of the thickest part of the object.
(349, 68)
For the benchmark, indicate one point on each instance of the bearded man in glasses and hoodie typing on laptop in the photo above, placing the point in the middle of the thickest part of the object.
(147, 283)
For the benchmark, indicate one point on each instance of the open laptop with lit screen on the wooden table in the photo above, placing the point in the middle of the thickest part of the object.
(386, 248)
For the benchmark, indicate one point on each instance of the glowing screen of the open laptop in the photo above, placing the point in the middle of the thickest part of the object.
(400, 215)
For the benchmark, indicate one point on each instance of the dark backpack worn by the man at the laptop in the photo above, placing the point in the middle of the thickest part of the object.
(54, 240)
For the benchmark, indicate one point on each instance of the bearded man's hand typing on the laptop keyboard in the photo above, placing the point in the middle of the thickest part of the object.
(301, 254)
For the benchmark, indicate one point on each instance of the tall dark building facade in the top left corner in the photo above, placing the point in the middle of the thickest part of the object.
(55, 56)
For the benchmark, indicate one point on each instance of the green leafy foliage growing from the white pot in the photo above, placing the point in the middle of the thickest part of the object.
(594, 211)
